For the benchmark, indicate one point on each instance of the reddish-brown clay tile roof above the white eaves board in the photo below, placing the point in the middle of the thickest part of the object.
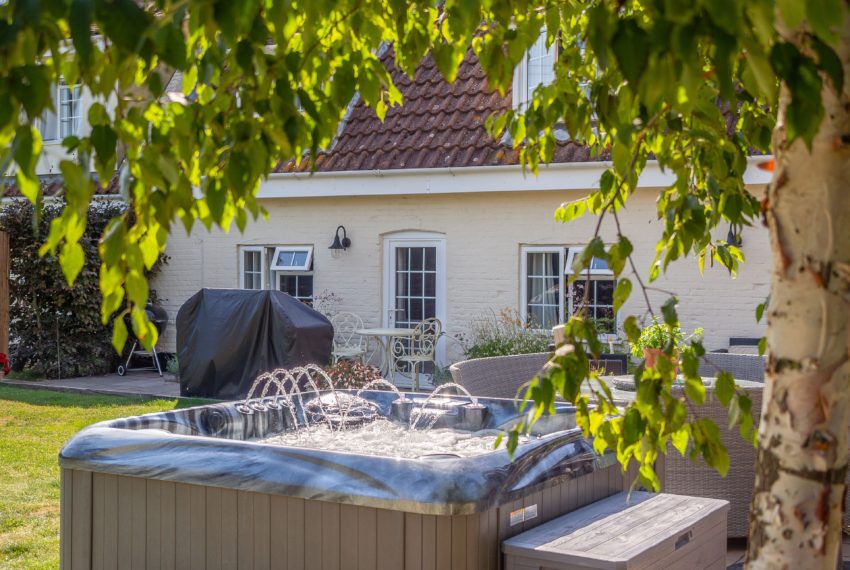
(439, 125)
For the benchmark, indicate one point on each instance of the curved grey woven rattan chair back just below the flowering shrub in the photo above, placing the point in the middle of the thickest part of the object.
(498, 376)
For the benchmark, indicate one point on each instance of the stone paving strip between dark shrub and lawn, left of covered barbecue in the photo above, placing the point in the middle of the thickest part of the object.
(145, 384)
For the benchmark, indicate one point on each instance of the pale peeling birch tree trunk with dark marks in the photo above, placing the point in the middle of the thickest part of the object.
(796, 512)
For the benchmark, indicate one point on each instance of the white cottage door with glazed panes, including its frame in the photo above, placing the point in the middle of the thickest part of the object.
(415, 281)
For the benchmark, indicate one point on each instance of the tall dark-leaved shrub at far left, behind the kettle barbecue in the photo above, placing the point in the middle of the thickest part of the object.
(56, 330)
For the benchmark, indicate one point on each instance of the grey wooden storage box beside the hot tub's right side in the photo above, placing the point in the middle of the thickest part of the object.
(649, 531)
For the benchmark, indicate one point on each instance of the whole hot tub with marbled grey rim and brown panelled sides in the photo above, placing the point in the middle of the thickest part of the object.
(230, 486)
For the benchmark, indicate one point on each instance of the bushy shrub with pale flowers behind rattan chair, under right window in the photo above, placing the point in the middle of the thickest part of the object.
(502, 335)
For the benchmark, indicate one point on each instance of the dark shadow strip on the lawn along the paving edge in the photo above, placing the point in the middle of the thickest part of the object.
(41, 397)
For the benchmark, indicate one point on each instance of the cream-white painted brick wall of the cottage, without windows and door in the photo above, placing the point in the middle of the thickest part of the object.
(484, 233)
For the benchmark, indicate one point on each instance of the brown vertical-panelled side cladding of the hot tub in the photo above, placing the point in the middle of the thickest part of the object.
(114, 521)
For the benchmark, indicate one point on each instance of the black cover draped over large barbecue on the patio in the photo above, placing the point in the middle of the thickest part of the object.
(228, 337)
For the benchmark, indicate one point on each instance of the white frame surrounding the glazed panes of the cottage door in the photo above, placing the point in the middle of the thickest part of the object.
(415, 239)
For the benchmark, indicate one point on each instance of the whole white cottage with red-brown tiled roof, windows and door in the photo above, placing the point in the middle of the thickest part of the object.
(444, 222)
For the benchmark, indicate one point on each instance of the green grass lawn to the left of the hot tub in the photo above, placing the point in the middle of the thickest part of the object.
(34, 425)
